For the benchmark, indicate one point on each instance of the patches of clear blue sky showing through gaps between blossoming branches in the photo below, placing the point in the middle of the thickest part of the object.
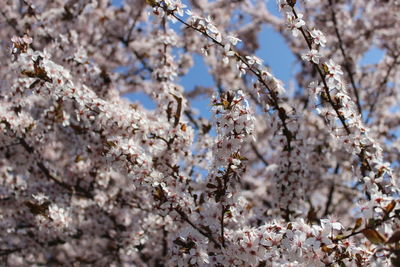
(273, 50)
